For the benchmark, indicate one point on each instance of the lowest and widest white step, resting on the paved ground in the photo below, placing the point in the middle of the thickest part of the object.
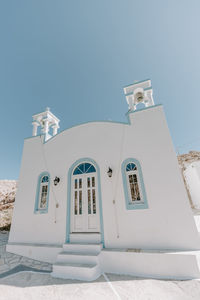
(86, 272)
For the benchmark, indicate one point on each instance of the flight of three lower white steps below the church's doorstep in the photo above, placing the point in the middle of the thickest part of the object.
(78, 261)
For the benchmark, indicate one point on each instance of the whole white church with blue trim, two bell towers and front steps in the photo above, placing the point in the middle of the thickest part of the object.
(105, 197)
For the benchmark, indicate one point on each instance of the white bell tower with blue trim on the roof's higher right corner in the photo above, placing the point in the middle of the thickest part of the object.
(139, 92)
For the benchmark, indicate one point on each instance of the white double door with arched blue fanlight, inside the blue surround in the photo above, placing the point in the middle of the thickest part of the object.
(85, 212)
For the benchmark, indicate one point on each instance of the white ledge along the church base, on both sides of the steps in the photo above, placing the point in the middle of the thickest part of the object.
(142, 263)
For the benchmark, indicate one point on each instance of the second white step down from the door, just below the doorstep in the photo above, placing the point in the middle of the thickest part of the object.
(82, 248)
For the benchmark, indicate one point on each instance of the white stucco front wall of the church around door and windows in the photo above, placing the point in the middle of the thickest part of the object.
(166, 224)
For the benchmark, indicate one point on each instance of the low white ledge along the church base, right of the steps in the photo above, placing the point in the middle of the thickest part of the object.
(156, 265)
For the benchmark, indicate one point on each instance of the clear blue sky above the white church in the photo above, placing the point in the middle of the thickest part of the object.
(76, 56)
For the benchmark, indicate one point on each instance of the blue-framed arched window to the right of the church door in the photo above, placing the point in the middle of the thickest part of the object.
(134, 190)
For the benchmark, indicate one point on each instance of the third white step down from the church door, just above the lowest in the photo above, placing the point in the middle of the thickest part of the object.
(72, 257)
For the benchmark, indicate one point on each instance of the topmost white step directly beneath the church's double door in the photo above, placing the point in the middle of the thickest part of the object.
(85, 237)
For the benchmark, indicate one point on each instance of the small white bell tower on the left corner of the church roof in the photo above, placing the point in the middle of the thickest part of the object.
(45, 120)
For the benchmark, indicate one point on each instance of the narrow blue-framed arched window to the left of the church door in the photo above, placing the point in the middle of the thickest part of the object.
(42, 194)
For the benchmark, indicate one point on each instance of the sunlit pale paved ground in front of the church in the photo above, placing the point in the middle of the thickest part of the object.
(29, 285)
